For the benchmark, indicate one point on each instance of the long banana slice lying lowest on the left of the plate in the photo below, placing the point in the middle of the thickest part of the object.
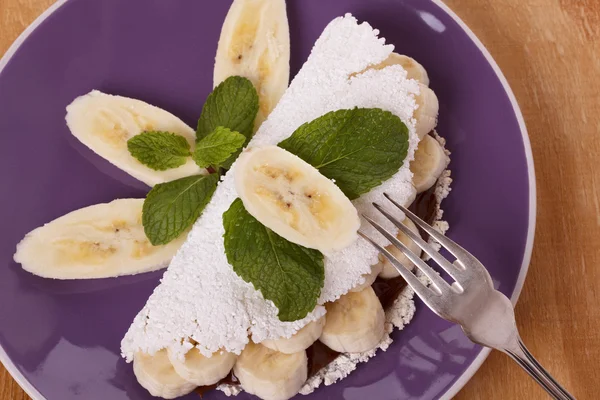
(100, 241)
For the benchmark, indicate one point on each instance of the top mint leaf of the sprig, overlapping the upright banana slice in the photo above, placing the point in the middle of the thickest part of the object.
(233, 104)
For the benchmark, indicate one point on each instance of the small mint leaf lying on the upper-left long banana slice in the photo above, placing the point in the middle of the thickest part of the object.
(159, 150)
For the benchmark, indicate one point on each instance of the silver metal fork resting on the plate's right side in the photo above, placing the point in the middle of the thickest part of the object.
(485, 315)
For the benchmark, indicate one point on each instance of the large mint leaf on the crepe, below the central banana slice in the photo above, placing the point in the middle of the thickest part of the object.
(288, 274)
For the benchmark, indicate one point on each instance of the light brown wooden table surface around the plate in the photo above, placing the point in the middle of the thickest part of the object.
(549, 51)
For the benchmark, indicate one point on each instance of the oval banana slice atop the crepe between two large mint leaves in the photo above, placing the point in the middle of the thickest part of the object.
(292, 198)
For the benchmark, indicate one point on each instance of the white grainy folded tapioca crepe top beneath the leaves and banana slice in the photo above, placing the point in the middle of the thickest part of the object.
(200, 296)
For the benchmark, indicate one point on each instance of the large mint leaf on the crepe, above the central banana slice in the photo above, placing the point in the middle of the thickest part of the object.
(359, 148)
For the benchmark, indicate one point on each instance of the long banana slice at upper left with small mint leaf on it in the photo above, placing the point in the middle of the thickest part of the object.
(104, 123)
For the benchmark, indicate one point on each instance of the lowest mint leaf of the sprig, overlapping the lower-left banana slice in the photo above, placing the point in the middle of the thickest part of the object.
(170, 208)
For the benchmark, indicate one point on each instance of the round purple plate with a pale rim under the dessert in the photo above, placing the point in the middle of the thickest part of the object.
(61, 339)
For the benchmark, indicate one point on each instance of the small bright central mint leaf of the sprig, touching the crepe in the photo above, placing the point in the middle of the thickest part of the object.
(216, 148)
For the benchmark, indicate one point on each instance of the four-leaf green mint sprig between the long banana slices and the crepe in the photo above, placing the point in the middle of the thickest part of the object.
(225, 125)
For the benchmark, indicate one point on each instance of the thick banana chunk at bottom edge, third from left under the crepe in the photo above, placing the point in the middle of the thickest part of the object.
(269, 374)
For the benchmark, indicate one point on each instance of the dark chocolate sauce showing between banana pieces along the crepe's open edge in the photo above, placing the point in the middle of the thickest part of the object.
(387, 290)
